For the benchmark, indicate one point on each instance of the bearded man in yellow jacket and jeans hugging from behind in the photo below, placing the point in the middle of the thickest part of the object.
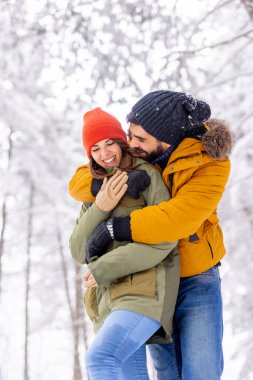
(172, 130)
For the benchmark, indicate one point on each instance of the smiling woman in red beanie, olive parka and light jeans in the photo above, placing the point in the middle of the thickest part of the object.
(137, 281)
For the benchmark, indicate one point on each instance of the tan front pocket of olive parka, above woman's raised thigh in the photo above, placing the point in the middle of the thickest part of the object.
(137, 284)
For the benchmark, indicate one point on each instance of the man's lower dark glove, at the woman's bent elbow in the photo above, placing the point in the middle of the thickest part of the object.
(99, 241)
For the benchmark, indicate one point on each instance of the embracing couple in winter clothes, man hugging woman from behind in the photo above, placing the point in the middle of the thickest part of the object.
(149, 232)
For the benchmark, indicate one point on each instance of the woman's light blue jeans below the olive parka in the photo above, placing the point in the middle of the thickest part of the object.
(118, 351)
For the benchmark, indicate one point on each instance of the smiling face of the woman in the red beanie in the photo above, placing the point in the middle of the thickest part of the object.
(107, 153)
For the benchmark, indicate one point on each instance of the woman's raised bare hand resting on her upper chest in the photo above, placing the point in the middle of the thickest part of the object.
(112, 191)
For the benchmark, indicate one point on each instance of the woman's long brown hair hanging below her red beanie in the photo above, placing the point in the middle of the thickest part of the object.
(127, 162)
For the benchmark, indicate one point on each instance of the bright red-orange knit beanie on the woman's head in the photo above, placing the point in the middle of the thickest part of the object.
(100, 125)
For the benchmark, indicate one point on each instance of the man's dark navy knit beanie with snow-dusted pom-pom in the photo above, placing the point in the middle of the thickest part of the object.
(170, 116)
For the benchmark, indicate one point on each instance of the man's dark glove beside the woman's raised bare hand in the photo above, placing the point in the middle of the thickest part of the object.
(138, 181)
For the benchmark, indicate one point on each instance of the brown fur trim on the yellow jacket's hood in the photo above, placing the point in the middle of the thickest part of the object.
(218, 139)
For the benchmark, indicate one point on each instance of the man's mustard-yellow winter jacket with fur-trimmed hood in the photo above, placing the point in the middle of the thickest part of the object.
(196, 175)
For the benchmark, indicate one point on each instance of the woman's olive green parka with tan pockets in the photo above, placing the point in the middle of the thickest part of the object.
(130, 276)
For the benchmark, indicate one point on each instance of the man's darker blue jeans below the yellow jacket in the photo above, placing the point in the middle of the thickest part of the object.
(196, 352)
